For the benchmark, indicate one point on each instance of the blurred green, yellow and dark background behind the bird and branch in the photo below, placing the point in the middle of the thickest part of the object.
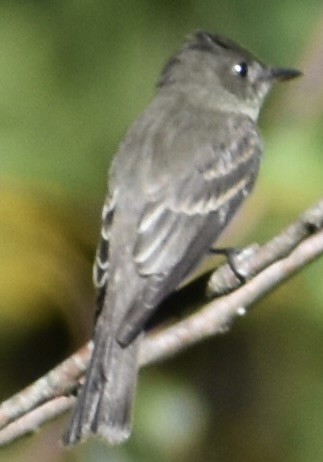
(73, 76)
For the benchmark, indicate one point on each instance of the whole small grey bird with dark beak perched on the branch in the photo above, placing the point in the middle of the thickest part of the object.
(182, 171)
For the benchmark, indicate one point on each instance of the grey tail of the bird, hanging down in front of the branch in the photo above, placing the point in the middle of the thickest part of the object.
(104, 405)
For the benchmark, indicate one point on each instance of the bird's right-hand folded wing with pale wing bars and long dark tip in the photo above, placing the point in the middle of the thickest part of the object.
(182, 220)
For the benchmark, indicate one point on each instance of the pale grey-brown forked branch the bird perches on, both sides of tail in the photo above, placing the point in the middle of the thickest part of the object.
(264, 268)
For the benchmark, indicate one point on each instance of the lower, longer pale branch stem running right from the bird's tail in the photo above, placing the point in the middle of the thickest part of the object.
(217, 316)
